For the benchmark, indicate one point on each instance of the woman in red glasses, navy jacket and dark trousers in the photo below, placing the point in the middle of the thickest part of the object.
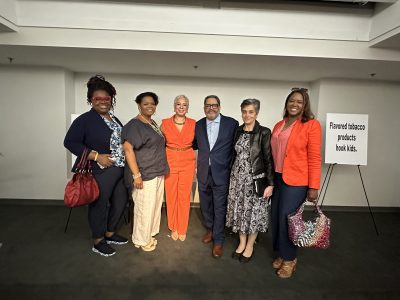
(100, 131)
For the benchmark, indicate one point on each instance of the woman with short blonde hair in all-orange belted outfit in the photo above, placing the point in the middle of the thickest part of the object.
(179, 134)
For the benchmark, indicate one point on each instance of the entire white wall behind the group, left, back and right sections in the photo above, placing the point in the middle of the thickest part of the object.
(37, 102)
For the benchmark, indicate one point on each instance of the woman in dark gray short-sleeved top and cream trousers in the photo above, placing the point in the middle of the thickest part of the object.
(144, 147)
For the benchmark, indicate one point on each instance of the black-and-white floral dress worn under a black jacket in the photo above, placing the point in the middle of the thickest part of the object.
(246, 212)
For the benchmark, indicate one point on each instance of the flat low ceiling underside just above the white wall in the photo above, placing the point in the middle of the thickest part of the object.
(199, 64)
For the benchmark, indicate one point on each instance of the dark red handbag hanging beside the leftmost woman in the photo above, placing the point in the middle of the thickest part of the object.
(82, 189)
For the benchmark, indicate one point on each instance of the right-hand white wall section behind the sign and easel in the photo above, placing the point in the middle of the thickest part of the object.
(380, 100)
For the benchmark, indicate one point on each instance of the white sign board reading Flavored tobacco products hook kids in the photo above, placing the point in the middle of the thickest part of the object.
(346, 139)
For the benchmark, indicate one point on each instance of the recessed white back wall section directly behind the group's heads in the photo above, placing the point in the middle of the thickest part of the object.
(231, 92)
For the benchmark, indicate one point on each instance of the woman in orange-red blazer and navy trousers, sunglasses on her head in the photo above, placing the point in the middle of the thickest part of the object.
(296, 150)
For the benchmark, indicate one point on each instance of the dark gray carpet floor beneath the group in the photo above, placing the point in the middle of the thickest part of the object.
(39, 261)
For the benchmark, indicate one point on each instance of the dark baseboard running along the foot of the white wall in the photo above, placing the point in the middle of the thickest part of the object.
(59, 202)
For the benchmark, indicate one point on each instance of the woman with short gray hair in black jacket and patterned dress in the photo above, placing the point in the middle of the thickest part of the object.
(251, 182)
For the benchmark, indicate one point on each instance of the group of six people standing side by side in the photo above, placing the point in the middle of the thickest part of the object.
(247, 175)
